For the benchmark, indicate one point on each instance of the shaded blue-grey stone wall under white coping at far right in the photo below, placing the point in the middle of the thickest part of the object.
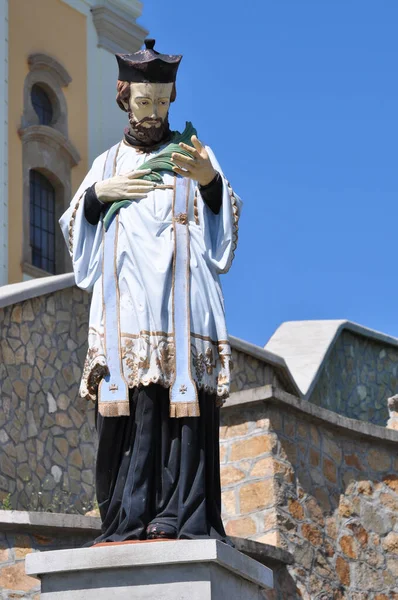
(359, 375)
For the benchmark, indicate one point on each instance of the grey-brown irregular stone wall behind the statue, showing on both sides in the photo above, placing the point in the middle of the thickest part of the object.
(47, 432)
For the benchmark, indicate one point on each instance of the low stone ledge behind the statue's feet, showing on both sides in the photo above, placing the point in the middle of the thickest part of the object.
(64, 524)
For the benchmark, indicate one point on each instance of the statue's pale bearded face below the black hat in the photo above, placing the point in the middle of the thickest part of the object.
(148, 110)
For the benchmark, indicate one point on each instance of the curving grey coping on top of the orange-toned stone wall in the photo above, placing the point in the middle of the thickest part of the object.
(269, 393)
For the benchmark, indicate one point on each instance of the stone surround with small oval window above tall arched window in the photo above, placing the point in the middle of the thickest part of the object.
(48, 158)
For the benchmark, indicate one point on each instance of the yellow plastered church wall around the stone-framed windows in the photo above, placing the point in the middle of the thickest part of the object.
(55, 29)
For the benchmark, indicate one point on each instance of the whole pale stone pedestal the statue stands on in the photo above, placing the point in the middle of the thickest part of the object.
(186, 569)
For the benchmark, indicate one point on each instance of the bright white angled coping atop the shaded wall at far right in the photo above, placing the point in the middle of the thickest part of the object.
(306, 346)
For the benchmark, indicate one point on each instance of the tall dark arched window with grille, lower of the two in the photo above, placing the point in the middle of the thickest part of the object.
(42, 222)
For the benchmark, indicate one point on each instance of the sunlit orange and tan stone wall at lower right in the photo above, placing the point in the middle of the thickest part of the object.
(327, 494)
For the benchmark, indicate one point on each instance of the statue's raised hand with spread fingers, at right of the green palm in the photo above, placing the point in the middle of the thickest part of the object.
(198, 167)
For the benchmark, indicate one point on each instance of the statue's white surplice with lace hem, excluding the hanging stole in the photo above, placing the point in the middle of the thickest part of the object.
(144, 258)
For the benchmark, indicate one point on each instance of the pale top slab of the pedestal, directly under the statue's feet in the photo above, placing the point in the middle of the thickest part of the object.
(154, 554)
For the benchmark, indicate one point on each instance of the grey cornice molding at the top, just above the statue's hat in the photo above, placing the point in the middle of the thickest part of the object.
(117, 29)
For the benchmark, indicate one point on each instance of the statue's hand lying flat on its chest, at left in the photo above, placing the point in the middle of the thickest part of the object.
(124, 187)
